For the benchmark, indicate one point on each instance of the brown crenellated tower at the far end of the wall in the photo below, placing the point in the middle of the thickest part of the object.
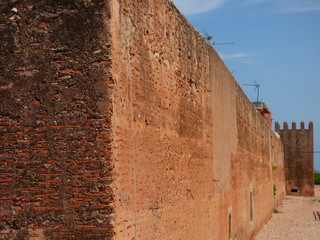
(298, 158)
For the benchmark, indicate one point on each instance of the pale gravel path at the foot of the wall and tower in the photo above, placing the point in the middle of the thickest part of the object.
(295, 220)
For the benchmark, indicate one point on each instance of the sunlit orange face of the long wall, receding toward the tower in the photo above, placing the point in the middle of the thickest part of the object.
(192, 156)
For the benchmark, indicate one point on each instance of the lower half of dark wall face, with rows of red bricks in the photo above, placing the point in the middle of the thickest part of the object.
(55, 179)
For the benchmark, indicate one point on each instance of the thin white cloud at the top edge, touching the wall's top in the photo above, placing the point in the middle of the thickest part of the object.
(191, 7)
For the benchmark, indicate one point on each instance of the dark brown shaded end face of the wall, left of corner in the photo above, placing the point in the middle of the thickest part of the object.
(54, 120)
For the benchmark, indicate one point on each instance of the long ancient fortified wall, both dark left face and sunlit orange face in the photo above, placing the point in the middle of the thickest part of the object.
(118, 121)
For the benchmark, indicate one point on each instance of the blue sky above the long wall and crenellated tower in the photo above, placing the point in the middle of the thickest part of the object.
(277, 45)
